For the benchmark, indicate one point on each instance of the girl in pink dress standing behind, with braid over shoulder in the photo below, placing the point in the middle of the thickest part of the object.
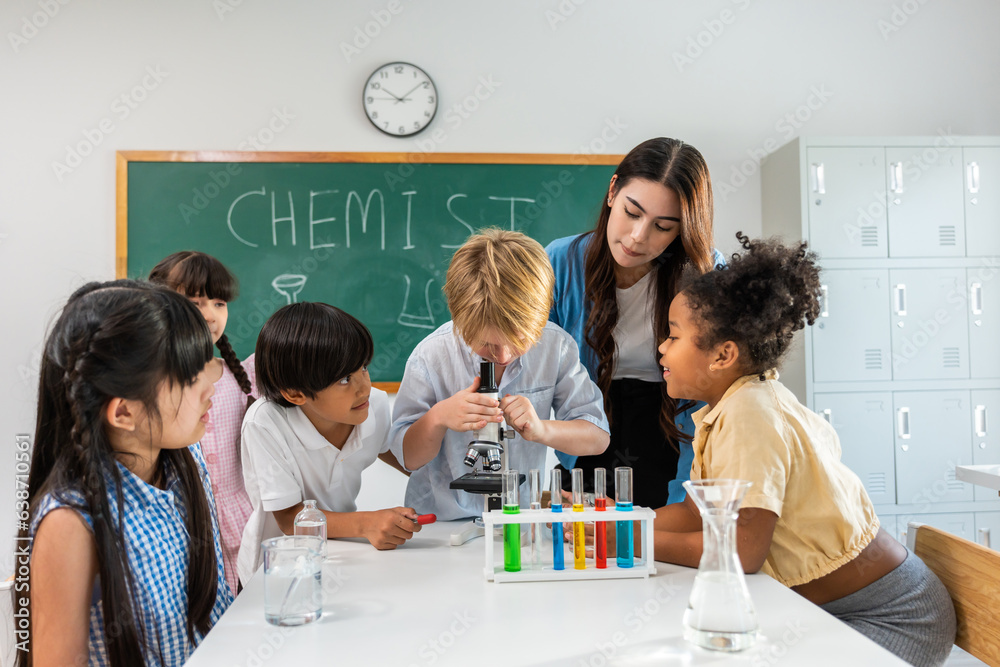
(209, 285)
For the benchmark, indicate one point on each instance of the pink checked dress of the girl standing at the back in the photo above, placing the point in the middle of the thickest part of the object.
(221, 445)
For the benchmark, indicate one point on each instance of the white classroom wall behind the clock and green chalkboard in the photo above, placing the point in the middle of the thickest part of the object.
(562, 80)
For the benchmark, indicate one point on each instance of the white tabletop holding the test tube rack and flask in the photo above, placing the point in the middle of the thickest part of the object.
(428, 603)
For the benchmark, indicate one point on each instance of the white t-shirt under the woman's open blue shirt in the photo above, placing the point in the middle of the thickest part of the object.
(634, 337)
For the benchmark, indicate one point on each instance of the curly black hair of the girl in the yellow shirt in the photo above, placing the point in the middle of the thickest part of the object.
(758, 301)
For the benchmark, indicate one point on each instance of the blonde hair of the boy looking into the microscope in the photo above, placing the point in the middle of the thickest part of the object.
(503, 281)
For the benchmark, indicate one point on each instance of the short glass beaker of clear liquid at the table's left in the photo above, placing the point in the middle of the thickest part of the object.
(293, 585)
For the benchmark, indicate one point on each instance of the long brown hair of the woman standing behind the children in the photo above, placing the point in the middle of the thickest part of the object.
(681, 168)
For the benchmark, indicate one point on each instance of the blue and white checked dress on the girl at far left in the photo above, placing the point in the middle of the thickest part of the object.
(157, 542)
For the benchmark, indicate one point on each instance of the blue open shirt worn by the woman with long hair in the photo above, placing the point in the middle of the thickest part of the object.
(570, 310)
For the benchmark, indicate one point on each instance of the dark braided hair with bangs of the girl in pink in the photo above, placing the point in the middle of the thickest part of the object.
(195, 274)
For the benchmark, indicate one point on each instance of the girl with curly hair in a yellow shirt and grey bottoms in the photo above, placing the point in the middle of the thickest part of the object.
(806, 520)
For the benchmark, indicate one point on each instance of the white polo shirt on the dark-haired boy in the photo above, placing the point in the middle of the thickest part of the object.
(286, 461)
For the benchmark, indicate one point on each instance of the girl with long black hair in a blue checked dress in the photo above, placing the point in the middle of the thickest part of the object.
(125, 563)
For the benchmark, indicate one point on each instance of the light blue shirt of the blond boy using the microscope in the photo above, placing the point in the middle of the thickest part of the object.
(549, 375)
